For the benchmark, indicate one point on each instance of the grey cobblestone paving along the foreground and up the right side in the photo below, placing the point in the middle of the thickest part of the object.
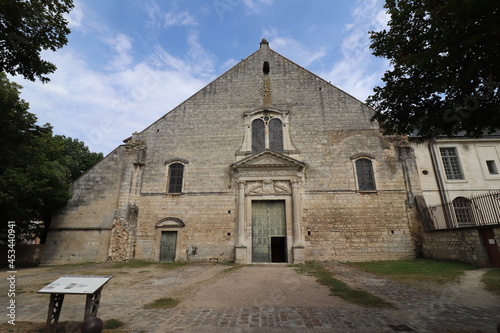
(418, 311)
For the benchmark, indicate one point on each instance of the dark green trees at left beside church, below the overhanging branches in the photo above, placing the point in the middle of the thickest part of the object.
(36, 167)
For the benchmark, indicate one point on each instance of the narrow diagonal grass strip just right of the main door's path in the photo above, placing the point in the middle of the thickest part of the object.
(341, 289)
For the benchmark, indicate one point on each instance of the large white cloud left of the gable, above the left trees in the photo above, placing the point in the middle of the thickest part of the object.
(103, 108)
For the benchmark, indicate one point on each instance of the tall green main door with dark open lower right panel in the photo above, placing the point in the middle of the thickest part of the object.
(268, 231)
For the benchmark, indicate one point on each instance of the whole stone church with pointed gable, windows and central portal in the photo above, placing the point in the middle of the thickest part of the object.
(268, 163)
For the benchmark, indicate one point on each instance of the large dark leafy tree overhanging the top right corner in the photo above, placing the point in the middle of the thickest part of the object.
(444, 57)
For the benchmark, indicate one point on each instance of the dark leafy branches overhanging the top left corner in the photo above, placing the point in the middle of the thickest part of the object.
(27, 28)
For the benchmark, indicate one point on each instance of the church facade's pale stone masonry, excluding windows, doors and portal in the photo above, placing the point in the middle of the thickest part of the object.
(125, 195)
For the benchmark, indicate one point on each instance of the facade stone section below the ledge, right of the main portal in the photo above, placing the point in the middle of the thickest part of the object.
(353, 227)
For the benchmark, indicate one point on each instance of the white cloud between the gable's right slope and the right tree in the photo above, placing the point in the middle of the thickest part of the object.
(359, 71)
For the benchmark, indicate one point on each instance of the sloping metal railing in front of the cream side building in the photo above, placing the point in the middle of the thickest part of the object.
(480, 210)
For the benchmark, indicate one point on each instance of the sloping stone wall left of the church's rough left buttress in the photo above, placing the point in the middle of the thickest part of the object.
(81, 232)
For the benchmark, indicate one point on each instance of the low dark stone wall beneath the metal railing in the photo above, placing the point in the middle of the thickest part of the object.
(459, 245)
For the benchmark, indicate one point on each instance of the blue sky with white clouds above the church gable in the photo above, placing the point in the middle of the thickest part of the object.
(129, 62)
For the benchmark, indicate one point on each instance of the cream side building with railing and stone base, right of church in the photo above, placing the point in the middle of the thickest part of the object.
(460, 183)
